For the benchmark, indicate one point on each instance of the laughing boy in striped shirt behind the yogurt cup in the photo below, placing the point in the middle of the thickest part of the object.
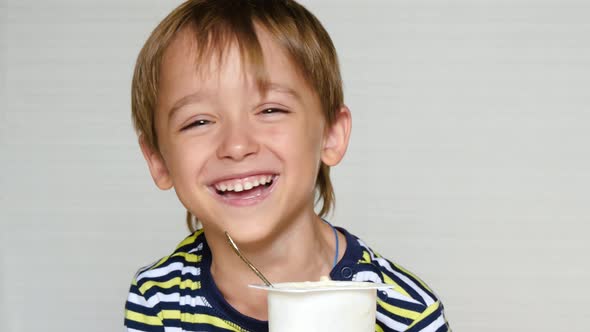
(239, 108)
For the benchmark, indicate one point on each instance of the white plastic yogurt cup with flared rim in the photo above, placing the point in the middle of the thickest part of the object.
(344, 306)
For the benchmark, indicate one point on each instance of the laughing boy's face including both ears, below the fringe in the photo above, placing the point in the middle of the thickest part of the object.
(239, 159)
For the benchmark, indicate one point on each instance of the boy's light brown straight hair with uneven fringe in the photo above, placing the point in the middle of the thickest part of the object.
(217, 24)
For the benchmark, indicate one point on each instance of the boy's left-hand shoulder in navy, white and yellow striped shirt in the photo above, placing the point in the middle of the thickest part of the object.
(172, 289)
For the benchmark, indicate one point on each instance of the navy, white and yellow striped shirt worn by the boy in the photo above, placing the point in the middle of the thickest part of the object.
(177, 293)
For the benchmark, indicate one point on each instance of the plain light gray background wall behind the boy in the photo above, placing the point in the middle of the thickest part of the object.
(469, 162)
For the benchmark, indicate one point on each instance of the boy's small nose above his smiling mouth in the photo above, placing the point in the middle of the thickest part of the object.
(237, 142)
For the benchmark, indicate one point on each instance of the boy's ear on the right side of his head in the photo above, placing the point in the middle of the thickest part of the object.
(336, 138)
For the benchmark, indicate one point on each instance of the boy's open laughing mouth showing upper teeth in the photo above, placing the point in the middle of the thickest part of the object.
(245, 191)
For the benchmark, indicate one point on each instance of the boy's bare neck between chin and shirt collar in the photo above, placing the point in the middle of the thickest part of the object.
(302, 252)
